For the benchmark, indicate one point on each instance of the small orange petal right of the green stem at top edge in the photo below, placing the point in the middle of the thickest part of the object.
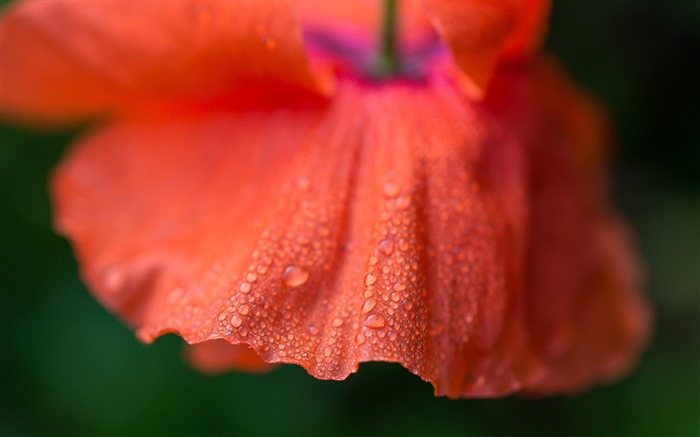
(480, 33)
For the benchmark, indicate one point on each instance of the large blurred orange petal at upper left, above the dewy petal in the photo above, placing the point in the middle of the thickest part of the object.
(67, 60)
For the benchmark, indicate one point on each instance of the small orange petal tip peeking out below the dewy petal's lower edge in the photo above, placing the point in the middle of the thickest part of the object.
(217, 356)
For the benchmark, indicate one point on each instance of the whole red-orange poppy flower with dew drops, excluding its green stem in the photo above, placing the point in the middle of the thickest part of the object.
(257, 188)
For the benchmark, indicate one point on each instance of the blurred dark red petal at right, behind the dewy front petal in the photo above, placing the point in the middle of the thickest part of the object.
(585, 315)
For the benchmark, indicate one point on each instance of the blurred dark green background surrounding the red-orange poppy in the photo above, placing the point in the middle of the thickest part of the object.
(70, 368)
